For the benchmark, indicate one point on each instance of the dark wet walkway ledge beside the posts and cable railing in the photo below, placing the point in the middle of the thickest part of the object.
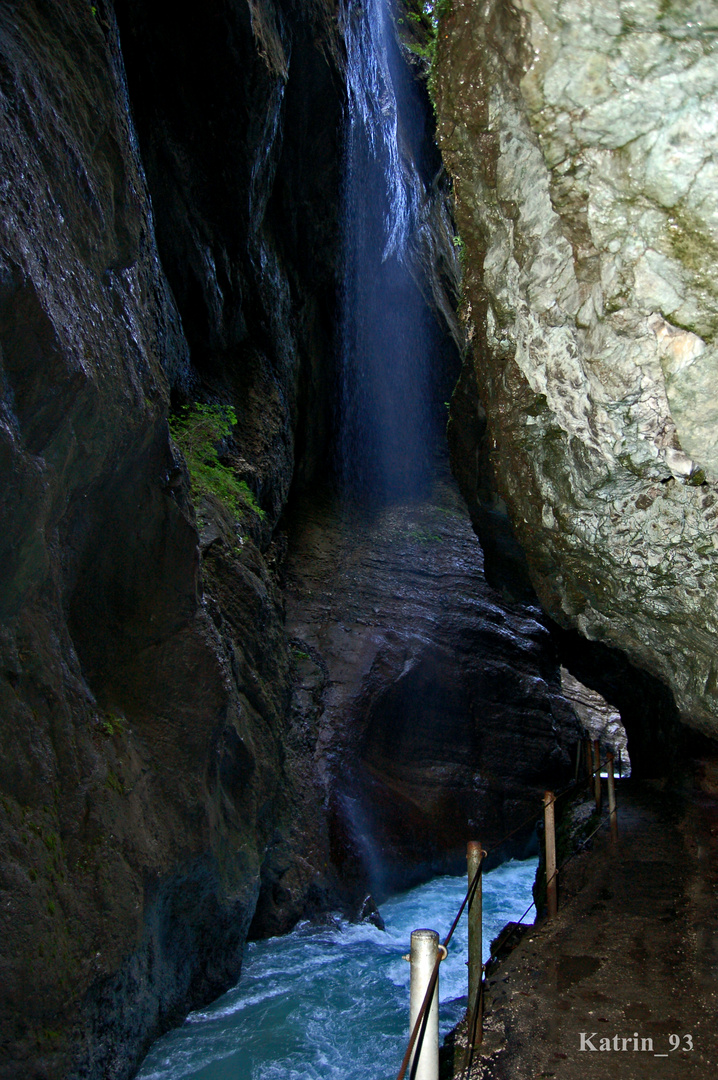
(624, 983)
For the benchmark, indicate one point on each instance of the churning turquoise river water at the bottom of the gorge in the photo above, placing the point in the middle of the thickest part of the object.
(333, 1003)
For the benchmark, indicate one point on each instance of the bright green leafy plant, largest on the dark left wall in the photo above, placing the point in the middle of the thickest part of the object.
(198, 430)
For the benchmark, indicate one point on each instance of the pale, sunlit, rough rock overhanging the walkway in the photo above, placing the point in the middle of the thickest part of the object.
(581, 139)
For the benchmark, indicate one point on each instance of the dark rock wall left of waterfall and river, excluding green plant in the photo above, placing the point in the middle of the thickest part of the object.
(145, 677)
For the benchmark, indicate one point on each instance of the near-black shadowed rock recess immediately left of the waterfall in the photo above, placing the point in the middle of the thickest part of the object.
(239, 120)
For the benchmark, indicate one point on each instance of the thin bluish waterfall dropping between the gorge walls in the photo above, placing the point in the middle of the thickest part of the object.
(387, 421)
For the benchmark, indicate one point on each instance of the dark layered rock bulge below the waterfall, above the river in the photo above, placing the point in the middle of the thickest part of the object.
(427, 708)
